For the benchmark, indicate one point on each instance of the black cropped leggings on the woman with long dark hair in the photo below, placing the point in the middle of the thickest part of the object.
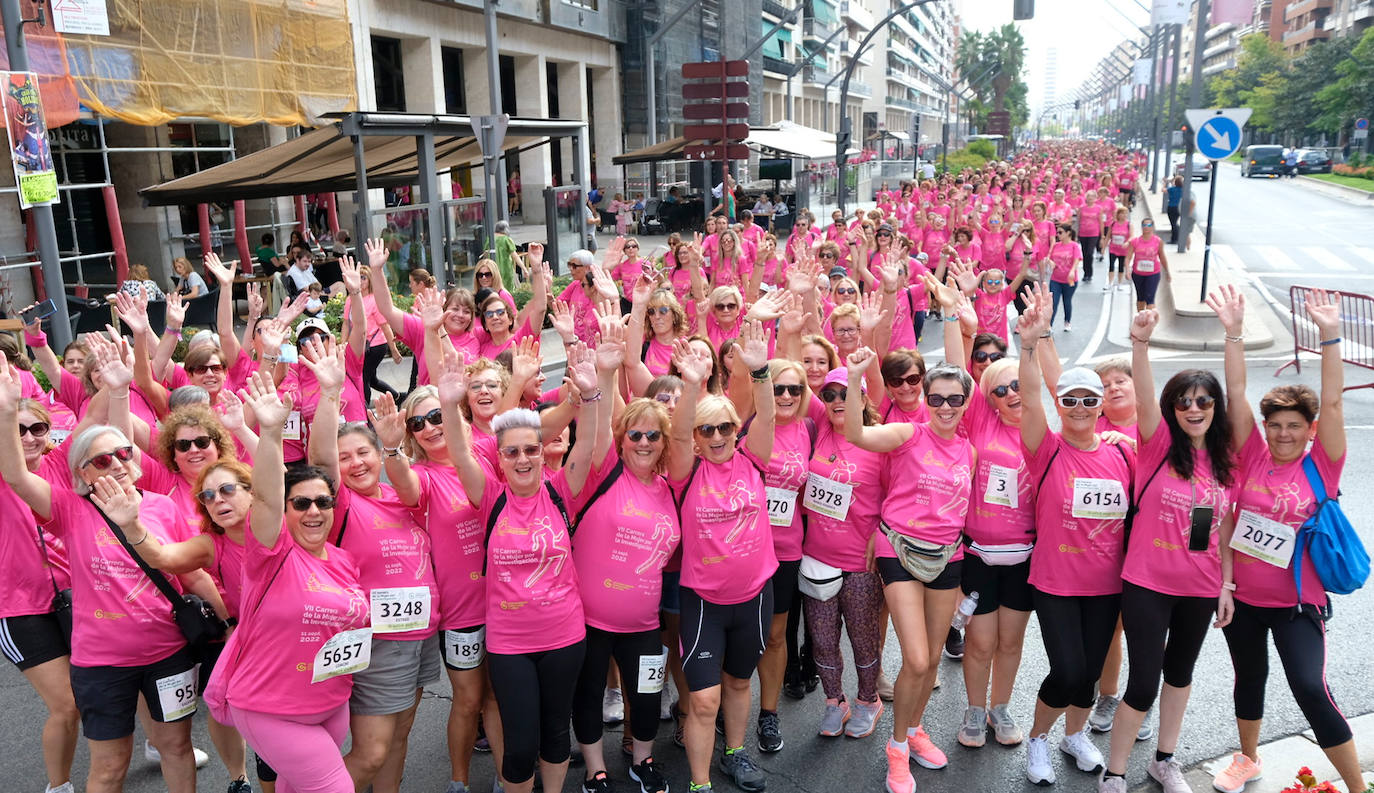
(1163, 634)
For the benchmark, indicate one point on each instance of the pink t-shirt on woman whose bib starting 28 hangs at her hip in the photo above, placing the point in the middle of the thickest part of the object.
(622, 546)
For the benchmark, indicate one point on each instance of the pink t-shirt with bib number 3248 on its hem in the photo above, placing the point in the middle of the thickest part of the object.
(390, 548)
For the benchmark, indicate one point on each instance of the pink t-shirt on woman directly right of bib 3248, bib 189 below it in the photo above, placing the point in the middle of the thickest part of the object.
(458, 535)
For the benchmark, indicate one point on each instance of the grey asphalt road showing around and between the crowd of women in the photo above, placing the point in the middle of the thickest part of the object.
(1259, 222)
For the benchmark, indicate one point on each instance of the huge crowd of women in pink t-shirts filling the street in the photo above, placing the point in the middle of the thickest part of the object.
(748, 456)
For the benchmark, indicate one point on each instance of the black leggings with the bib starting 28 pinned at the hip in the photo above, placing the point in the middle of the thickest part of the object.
(592, 685)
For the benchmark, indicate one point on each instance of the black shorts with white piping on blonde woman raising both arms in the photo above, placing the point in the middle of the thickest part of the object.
(718, 638)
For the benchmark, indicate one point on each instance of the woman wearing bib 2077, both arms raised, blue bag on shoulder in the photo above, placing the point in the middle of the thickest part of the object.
(1261, 583)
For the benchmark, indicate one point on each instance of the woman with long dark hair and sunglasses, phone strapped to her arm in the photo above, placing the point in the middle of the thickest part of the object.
(1173, 574)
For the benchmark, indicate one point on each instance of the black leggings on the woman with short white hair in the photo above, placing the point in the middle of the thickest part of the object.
(535, 697)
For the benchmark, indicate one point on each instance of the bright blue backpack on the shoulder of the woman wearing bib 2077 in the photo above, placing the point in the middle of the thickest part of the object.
(1329, 538)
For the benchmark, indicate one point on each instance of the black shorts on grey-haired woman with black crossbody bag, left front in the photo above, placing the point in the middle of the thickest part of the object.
(108, 697)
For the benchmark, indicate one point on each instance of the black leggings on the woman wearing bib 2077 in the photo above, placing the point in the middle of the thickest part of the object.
(1300, 640)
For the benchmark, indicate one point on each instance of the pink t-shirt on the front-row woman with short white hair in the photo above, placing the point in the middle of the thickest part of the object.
(532, 590)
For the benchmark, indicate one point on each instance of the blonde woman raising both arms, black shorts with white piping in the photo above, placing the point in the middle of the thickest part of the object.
(729, 556)
